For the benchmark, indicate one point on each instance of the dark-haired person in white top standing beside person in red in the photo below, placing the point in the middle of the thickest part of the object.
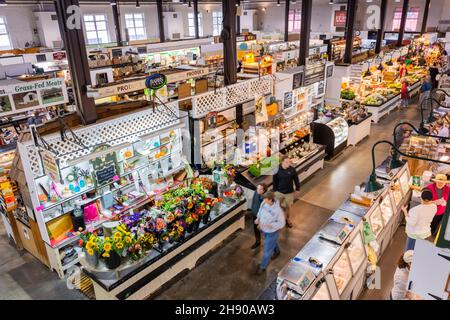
(418, 219)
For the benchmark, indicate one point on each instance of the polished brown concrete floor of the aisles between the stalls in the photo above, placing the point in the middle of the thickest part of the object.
(229, 273)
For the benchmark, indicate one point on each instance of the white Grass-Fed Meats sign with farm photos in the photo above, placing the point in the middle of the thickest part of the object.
(26, 96)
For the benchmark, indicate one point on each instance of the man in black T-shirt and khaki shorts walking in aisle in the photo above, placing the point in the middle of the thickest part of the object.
(283, 186)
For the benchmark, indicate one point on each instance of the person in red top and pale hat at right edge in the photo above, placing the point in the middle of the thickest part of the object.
(440, 191)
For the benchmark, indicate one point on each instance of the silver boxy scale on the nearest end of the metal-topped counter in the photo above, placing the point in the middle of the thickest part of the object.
(298, 276)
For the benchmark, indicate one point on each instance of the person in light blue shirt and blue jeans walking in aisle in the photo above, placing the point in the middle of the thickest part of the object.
(270, 221)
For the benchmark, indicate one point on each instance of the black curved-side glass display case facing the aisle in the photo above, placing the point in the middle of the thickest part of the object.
(333, 133)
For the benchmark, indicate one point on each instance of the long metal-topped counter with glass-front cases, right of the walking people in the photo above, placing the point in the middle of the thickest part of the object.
(334, 264)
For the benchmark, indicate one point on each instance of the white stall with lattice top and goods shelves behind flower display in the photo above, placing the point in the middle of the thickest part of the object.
(115, 168)
